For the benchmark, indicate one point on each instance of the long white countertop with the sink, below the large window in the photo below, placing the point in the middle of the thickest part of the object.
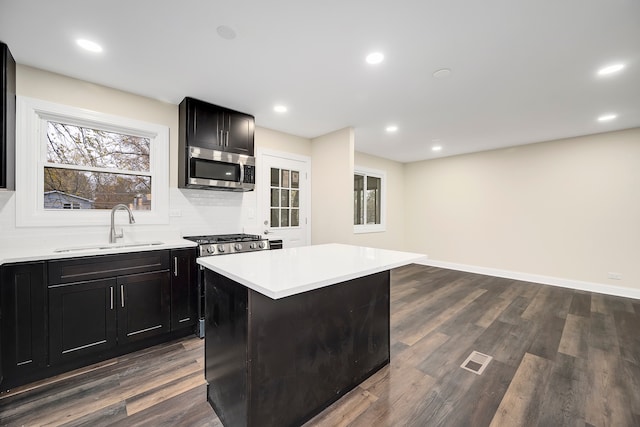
(37, 251)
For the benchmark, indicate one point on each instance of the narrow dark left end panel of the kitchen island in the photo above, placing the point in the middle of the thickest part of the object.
(226, 333)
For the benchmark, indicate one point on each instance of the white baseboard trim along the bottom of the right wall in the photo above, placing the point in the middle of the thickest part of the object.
(600, 288)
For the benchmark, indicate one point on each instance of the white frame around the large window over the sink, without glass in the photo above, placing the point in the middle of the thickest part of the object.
(32, 116)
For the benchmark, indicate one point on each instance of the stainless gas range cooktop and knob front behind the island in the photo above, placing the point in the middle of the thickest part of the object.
(223, 244)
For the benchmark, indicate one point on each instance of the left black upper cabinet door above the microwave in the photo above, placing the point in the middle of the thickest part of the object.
(205, 125)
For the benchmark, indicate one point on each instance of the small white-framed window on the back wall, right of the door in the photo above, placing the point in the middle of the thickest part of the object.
(368, 200)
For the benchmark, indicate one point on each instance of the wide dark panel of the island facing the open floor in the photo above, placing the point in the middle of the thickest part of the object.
(308, 350)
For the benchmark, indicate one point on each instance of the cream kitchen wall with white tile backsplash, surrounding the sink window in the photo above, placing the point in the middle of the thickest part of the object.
(192, 211)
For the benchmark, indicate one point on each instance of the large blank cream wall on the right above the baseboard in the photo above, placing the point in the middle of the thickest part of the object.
(567, 209)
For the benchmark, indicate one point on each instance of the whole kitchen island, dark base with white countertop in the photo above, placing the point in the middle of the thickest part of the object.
(288, 332)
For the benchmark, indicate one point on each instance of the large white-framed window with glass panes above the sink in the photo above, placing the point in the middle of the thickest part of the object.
(86, 163)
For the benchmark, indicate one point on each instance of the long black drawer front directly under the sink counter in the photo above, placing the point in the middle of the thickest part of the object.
(104, 266)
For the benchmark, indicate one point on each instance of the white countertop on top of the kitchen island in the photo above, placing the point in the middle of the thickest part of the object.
(285, 272)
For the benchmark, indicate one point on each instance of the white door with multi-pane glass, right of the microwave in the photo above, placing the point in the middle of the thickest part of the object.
(285, 198)
